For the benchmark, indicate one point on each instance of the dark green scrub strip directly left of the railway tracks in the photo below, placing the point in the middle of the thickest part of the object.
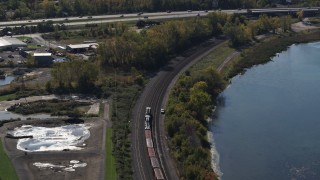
(123, 101)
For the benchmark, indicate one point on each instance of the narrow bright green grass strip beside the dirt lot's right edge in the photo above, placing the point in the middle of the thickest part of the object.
(110, 172)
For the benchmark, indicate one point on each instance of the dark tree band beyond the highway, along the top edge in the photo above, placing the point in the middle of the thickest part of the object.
(33, 9)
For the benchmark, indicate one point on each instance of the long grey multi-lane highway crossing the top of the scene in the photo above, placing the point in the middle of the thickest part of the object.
(83, 20)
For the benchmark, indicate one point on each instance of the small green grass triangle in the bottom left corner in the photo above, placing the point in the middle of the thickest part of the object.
(7, 171)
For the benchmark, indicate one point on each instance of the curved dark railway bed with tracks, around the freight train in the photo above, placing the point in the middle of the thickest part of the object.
(155, 95)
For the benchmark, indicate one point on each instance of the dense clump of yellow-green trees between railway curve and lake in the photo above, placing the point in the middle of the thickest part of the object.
(190, 104)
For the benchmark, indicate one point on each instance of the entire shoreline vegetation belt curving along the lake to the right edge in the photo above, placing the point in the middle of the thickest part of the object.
(194, 95)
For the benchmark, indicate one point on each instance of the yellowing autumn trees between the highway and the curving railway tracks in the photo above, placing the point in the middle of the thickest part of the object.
(151, 48)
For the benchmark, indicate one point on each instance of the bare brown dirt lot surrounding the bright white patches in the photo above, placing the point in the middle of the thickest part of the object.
(92, 154)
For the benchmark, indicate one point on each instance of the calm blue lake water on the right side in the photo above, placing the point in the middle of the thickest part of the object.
(267, 125)
